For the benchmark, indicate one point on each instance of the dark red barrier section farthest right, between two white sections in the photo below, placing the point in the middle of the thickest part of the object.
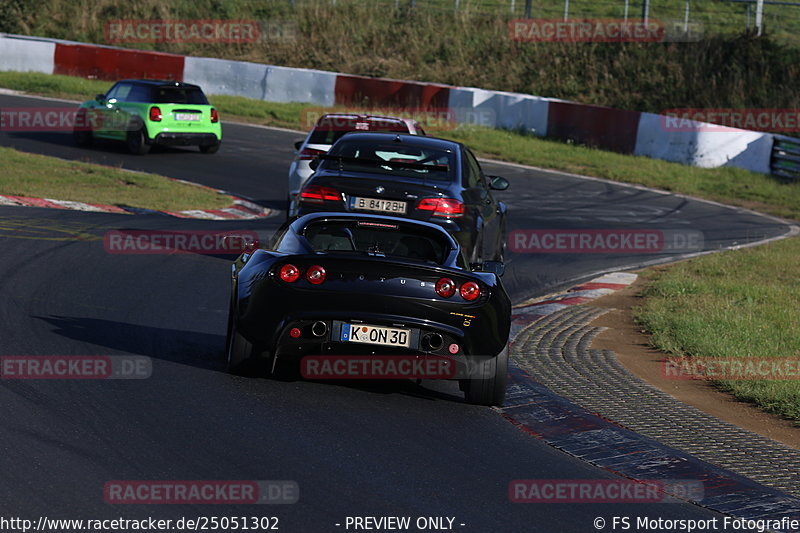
(601, 127)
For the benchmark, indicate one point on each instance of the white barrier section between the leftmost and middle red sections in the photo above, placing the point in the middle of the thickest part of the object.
(262, 82)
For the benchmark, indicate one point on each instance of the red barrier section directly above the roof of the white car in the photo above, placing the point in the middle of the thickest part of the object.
(360, 90)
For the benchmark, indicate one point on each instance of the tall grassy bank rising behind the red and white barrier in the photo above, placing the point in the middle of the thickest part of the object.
(472, 47)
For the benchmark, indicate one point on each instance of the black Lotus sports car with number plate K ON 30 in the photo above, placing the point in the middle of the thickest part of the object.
(353, 284)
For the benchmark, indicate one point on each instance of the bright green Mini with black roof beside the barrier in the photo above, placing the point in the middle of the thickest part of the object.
(147, 112)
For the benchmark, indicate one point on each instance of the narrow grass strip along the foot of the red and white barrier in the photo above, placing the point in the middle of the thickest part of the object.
(728, 185)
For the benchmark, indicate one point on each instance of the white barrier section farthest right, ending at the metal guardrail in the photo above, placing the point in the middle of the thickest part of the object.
(703, 145)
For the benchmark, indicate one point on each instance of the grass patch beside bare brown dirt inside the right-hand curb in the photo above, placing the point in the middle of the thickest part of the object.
(737, 304)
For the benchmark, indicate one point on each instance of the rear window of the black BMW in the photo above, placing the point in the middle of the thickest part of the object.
(392, 158)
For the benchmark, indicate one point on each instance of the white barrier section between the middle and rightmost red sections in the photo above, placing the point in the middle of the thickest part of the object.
(494, 109)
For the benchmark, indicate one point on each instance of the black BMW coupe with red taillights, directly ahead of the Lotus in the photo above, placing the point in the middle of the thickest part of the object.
(423, 178)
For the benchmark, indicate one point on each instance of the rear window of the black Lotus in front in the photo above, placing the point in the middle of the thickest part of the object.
(383, 239)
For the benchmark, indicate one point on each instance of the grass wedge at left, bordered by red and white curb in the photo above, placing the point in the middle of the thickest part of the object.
(23, 174)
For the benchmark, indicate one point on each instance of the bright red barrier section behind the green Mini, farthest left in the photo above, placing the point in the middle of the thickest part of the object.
(115, 63)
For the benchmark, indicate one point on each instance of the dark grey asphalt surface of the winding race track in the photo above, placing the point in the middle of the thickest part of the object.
(367, 449)
